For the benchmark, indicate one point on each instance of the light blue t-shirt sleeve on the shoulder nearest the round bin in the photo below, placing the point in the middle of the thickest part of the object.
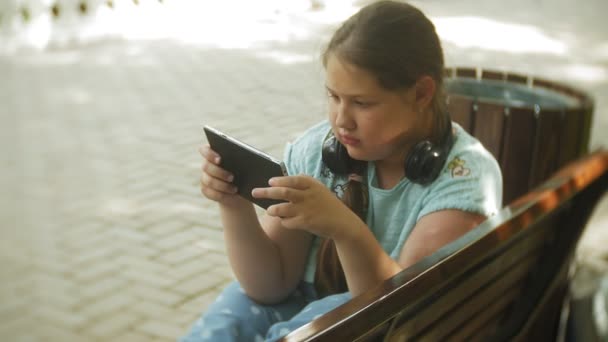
(471, 181)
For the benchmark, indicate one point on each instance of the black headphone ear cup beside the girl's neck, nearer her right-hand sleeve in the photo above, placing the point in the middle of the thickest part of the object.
(424, 162)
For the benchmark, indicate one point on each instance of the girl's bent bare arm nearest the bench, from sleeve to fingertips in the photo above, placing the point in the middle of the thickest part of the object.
(312, 207)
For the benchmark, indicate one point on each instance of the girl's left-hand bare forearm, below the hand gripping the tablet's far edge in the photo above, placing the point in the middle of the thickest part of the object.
(253, 256)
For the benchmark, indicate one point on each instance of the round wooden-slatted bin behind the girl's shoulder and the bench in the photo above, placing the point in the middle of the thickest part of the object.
(531, 126)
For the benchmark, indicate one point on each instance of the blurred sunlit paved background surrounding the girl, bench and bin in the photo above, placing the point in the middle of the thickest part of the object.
(104, 234)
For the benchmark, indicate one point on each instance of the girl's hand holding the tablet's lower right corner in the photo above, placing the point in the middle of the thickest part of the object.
(310, 206)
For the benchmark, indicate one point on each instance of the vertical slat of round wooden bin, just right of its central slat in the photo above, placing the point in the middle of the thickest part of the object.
(545, 157)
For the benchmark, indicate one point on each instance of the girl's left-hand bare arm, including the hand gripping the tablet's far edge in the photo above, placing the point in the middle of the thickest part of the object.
(267, 259)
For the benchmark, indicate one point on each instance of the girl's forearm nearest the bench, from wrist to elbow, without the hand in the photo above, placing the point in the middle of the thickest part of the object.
(364, 261)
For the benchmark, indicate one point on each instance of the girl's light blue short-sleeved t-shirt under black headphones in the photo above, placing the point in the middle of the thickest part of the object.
(470, 181)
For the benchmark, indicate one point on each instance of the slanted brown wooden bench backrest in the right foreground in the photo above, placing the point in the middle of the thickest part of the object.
(504, 279)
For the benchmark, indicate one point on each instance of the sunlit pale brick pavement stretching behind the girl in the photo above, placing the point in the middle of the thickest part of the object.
(104, 233)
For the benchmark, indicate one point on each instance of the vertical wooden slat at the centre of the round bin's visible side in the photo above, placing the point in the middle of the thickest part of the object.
(516, 159)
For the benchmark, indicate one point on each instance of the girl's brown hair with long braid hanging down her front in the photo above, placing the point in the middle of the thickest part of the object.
(396, 43)
